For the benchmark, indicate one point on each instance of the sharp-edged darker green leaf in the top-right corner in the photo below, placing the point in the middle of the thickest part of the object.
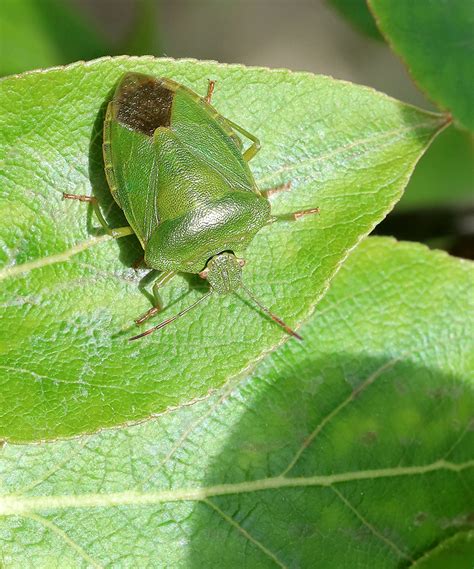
(434, 39)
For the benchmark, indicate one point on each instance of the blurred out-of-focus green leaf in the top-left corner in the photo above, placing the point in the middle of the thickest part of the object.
(42, 33)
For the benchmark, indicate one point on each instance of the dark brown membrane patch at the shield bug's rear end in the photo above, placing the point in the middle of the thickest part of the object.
(143, 103)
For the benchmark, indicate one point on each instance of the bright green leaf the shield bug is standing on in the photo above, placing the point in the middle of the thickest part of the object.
(70, 297)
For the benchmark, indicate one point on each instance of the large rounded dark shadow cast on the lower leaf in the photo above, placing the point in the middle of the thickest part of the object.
(335, 462)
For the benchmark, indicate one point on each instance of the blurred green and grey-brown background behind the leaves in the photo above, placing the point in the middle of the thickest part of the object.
(333, 37)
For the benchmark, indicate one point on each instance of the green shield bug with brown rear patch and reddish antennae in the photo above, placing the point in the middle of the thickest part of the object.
(178, 170)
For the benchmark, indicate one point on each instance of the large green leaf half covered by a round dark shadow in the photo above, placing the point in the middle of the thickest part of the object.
(353, 448)
